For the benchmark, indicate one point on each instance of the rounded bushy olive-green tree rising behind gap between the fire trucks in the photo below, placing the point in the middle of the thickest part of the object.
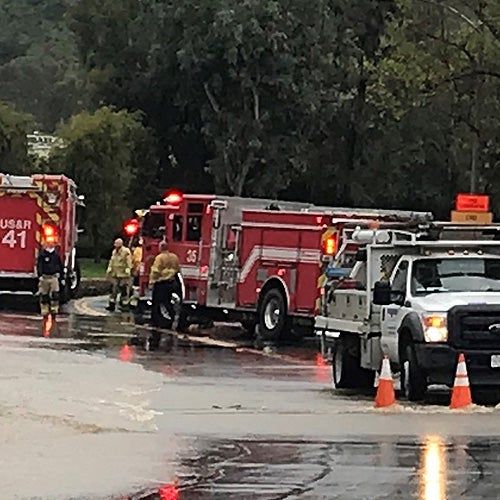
(101, 154)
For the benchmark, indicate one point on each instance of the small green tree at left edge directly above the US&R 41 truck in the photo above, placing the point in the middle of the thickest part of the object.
(14, 126)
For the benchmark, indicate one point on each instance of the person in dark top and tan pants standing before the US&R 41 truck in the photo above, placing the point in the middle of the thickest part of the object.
(49, 269)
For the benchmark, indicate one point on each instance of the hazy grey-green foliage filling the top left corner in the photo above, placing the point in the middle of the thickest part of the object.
(39, 67)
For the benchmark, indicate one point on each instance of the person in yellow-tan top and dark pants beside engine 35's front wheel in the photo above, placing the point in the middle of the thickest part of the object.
(163, 279)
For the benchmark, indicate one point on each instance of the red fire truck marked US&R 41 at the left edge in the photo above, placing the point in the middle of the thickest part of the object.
(33, 209)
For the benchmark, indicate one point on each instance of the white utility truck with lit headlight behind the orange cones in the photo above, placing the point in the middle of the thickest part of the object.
(420, 296)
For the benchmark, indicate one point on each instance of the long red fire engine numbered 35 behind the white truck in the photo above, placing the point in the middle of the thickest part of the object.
(258, 262)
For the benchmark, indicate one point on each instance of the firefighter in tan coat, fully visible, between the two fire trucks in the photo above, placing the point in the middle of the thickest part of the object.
(119, 272)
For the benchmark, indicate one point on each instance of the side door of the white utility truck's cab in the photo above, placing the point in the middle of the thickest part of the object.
(392, 315)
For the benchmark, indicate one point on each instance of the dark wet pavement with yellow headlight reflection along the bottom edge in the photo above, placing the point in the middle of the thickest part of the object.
(397, 468)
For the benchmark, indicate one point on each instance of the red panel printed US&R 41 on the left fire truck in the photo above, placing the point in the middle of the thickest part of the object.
(18, 230)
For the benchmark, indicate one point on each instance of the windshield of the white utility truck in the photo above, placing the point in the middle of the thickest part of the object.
(455, 275)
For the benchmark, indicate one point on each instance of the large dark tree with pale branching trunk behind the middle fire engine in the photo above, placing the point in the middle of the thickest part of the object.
(254, 86)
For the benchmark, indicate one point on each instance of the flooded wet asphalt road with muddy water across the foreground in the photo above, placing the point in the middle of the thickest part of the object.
(85, 416)
